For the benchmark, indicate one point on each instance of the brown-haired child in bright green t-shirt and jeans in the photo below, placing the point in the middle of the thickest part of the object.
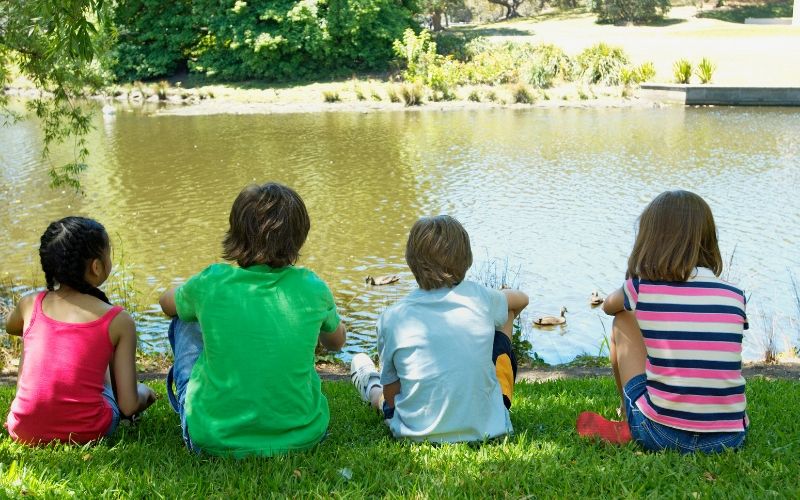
(244, 336)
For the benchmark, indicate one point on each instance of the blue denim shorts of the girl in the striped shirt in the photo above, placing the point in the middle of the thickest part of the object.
(656, 437)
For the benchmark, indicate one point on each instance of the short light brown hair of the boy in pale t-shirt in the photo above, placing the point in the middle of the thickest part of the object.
(438, 252)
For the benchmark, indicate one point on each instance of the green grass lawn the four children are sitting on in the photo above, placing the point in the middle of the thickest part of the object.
(544, 459)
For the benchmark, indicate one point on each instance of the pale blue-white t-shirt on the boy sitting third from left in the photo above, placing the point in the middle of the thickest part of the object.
(438, 344)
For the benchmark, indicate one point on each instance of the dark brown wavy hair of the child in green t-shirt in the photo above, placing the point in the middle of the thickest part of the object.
(268, 225)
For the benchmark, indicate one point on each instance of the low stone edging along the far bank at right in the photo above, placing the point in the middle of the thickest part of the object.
(721, 95)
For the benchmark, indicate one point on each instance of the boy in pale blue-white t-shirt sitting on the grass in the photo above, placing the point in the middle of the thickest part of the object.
(448, 368)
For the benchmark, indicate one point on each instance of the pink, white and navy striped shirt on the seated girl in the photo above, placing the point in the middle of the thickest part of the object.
(693, 333)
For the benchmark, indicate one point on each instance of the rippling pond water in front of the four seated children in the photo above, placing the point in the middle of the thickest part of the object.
(551, 195)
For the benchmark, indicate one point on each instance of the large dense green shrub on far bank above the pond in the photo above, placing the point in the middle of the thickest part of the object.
(288, 39)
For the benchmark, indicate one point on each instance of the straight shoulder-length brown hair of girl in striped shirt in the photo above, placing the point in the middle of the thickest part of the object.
(676, 234)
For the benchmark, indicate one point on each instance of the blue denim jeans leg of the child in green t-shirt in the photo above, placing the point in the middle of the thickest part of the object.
(186, 342)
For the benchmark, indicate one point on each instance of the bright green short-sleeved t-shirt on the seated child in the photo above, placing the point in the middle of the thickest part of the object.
(254, 389)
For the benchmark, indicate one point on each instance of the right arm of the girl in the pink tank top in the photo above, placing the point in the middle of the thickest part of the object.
(131, 397)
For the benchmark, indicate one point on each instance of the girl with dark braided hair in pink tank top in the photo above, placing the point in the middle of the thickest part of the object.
(75, 343)
